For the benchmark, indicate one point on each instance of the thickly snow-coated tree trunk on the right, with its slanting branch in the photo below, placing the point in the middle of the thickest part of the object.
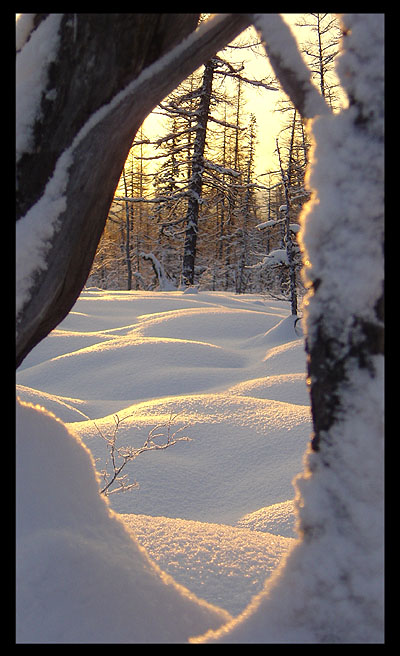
(330, 589)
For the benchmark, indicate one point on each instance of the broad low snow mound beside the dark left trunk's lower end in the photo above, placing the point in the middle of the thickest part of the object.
(135, 368)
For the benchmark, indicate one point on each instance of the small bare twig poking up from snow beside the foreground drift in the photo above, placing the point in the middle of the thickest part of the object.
(119, 456)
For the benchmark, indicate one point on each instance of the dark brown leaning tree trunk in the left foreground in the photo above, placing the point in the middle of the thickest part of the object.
(98, 56)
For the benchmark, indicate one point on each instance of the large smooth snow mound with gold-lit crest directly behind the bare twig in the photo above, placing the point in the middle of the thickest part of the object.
(243, 454)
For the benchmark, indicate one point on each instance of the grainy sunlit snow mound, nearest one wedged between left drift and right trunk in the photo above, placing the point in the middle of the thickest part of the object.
(223, 564)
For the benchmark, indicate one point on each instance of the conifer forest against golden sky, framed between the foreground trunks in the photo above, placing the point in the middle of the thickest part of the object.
(191, 207)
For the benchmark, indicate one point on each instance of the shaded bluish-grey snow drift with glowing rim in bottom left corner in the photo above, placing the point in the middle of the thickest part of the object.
(69, 588)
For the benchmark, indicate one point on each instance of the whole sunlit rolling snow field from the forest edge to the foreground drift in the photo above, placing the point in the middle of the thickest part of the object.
(216, 513)
